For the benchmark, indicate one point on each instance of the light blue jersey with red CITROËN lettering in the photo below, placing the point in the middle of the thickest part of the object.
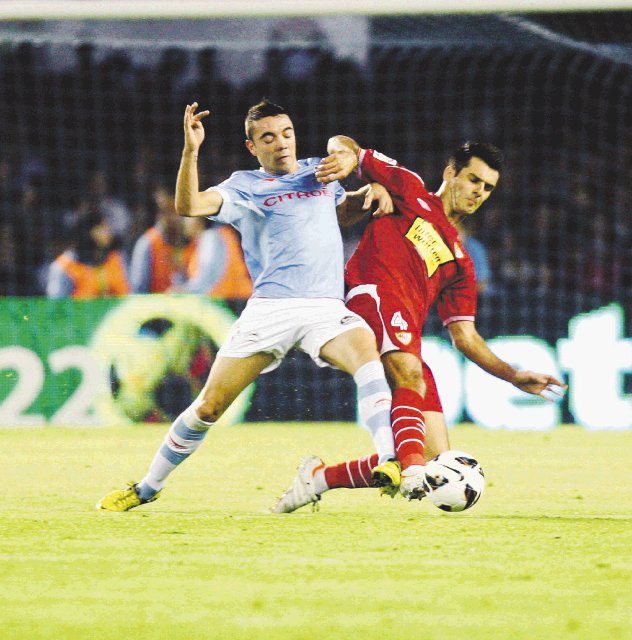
(289, 231)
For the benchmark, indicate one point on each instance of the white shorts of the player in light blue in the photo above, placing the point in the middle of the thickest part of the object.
(275, 325)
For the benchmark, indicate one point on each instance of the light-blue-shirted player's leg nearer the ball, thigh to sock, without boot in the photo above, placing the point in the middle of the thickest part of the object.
(355, 352)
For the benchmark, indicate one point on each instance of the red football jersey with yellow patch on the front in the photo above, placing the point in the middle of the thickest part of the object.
(415, 254)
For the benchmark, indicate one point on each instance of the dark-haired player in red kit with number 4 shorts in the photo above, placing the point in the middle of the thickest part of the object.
(404, 263)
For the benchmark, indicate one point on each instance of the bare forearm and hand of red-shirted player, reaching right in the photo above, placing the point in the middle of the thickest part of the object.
(471, 344)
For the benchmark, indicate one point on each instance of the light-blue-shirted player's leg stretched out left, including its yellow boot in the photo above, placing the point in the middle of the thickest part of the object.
(227, 379)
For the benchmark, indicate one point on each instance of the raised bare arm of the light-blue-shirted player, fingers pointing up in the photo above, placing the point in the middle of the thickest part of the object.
(189, 200)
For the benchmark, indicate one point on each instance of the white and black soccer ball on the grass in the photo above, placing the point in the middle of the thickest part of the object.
(454, 481)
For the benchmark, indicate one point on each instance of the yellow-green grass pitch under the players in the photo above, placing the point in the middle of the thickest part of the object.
(546, 553)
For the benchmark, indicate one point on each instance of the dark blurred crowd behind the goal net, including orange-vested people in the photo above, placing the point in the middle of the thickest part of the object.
(90, 155)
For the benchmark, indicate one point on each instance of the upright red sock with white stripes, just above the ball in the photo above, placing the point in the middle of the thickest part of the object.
(409, 428)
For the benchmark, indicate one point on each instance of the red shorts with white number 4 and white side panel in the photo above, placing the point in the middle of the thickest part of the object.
(396, 328)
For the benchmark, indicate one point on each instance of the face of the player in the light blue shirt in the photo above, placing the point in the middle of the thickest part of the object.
(273, 143)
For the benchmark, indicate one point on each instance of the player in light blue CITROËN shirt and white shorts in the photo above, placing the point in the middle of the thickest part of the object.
(292, 245)
